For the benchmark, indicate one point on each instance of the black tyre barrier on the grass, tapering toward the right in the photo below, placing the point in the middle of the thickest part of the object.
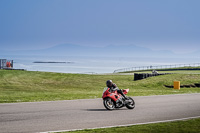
(139, 76)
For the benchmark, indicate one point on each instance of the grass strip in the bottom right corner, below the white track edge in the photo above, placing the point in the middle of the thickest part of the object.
(187, 126)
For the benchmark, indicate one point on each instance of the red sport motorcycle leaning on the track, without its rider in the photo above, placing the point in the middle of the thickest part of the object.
(112, 99)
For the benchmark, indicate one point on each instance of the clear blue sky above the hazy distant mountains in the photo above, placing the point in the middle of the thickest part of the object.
(159, 25)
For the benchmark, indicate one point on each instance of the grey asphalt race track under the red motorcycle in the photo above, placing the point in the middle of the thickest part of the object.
(90, 113)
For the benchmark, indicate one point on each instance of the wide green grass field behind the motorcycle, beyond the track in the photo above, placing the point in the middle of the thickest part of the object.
(27, 86)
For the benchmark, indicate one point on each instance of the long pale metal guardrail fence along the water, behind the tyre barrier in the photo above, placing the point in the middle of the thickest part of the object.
(142, 68)
